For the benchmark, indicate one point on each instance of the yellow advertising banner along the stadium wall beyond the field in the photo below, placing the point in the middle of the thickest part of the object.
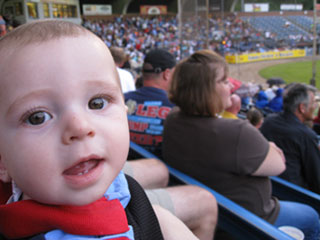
(270, 55)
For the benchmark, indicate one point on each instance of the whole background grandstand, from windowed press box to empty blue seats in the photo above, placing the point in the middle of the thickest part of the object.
(181, 31)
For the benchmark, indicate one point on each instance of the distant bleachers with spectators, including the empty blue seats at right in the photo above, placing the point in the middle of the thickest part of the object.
(240, 36)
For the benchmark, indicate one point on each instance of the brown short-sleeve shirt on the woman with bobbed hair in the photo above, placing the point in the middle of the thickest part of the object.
(223, 154)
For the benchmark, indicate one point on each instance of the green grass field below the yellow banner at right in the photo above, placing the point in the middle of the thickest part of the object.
(293, 72)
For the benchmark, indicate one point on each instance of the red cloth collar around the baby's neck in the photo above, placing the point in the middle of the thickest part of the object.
(27, 218)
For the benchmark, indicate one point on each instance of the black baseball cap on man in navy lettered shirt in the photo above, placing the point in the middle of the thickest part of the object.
(158, 60)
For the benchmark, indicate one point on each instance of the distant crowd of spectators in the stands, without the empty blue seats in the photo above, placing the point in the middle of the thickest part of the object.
(138, 34)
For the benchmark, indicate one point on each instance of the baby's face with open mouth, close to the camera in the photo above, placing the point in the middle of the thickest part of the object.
(64, 134)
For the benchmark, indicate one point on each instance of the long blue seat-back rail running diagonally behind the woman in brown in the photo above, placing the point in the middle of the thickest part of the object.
(233, 219)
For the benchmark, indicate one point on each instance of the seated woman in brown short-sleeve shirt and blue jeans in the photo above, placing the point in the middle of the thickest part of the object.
(228, 155)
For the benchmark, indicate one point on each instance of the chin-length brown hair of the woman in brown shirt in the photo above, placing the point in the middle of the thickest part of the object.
(193, 86)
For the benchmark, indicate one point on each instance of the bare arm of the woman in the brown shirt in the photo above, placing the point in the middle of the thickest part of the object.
(273, 164)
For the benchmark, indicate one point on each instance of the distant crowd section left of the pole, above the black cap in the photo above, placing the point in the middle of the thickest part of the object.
(137, 35)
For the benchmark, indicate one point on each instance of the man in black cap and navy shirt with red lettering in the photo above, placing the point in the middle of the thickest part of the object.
(149, 105)
